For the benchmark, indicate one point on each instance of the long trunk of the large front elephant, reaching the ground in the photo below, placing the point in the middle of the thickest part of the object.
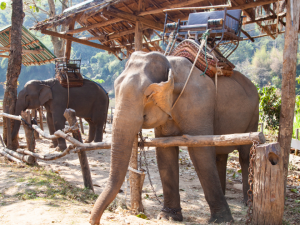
(124, 130)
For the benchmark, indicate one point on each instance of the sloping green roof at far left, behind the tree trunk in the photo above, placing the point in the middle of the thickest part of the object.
(40, 53)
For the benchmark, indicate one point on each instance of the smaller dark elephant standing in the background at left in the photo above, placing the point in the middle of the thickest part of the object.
(89, 101)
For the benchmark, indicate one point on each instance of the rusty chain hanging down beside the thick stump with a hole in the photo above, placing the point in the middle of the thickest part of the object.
(250, 181)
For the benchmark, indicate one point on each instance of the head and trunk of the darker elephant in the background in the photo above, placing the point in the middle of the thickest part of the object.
(34, 94)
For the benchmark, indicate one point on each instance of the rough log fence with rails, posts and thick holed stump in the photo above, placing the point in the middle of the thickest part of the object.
(270, 155)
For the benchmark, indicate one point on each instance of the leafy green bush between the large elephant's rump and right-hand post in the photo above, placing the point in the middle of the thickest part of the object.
(269, 107)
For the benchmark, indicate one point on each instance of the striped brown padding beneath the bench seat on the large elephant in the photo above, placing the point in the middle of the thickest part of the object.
(189, 49)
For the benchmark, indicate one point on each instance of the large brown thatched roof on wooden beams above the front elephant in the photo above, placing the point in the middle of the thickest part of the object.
(112, 22)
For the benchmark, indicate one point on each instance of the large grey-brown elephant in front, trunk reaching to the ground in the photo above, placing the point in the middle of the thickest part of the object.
(145, 93)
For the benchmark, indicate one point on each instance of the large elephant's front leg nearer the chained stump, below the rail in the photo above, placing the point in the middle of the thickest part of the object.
(204, 160)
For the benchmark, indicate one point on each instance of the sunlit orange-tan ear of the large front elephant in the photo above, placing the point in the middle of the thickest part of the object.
(161, 94)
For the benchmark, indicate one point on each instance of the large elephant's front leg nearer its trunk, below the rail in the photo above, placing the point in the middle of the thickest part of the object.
(167, 160)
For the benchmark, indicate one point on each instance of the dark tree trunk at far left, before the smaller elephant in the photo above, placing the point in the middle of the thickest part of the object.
(13, 70)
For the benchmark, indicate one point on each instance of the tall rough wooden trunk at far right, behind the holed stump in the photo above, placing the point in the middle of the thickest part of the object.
(288, 83)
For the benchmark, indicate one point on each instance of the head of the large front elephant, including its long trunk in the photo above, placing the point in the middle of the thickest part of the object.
(144, 97)
